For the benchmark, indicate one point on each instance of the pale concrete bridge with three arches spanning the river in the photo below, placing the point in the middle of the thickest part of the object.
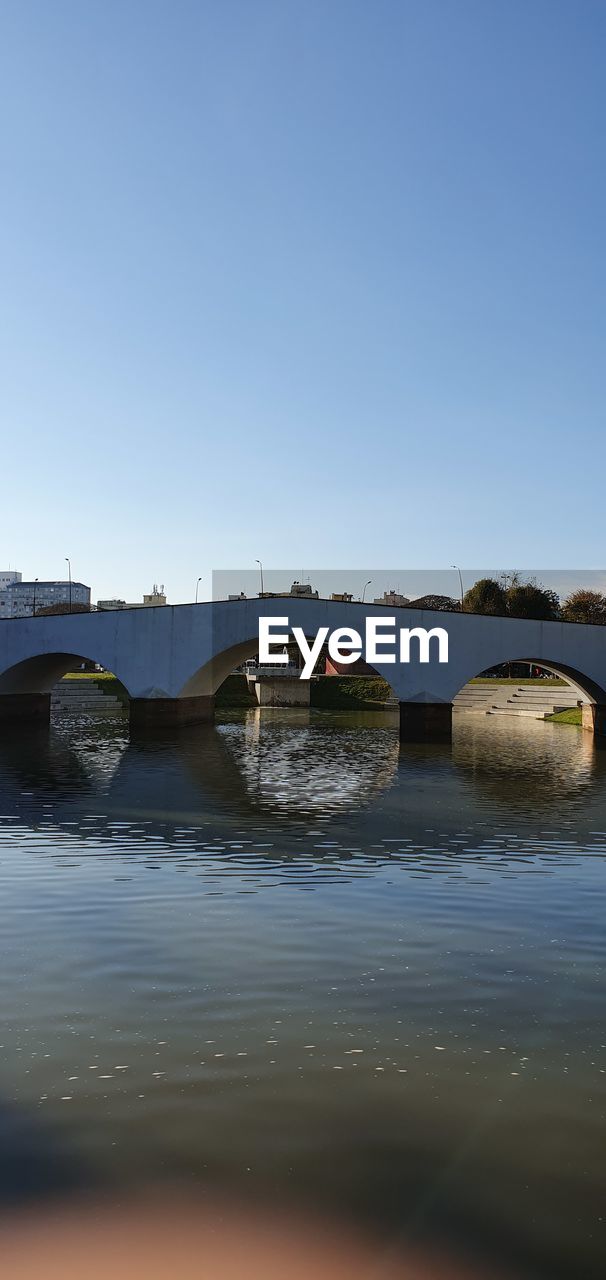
(174, 660)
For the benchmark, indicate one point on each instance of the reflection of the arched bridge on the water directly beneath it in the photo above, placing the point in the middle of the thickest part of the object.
(250, 783)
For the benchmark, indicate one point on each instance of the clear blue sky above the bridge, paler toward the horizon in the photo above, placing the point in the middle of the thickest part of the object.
(318, 282)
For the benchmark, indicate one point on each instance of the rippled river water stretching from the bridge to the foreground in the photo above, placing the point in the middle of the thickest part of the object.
(284, 958)
